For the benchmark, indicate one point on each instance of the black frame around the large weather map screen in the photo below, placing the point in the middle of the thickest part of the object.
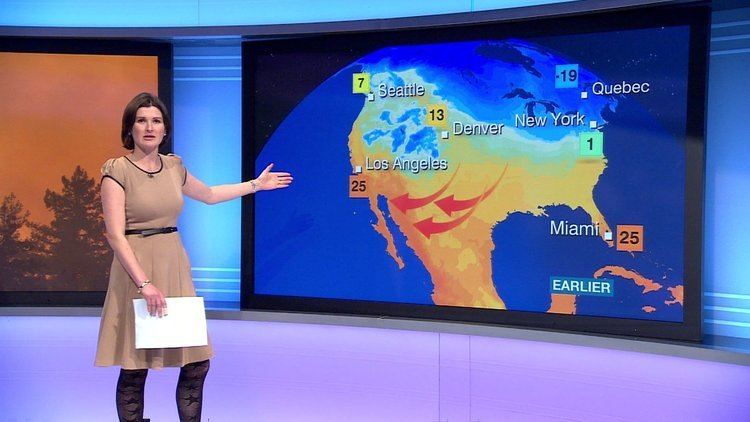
(696, 16)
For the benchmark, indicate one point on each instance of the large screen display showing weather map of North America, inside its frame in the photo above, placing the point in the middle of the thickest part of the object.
(540, 174)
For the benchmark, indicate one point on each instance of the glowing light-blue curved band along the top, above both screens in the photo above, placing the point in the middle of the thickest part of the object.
(174, 13)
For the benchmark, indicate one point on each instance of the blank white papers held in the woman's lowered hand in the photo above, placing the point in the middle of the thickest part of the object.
(183, 326)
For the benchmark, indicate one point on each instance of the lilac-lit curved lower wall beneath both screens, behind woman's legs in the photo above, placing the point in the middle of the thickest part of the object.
(308, 369)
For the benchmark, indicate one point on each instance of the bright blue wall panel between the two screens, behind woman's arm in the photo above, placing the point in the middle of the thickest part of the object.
(208, 136)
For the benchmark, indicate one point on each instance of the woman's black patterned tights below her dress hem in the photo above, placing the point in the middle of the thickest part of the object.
(131, 383)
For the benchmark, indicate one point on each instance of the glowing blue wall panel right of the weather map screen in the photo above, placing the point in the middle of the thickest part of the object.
(726, 225)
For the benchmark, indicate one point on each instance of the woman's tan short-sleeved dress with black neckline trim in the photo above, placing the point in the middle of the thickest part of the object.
(152, 200)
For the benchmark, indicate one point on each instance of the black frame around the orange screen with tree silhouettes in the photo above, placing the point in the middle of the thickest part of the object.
(91, 46)
